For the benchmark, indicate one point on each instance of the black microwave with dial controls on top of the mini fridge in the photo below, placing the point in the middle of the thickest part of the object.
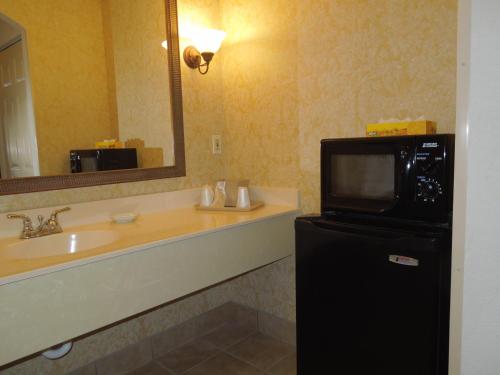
(407, 177)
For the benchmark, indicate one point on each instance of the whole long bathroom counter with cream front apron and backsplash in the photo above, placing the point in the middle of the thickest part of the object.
(169, 252)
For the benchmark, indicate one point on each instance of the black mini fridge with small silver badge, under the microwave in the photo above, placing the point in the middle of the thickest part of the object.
(371, 300)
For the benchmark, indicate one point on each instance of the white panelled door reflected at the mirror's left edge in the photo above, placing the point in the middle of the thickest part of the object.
(18, 156)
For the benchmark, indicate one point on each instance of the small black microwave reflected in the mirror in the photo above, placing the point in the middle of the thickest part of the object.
(104, 159)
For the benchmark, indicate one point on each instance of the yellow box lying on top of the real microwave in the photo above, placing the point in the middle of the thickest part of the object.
(401, 128)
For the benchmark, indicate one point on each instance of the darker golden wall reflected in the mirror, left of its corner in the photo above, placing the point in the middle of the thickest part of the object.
(59, 66)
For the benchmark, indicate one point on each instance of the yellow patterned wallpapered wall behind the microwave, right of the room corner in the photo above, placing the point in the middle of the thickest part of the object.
(299, 71)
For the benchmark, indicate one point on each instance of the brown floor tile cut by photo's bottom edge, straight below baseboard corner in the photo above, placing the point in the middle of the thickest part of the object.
(223, 364)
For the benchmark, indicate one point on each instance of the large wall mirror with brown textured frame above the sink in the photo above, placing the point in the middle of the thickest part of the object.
(90, 93)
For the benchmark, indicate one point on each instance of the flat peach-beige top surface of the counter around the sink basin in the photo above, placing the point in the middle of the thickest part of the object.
(149, 230)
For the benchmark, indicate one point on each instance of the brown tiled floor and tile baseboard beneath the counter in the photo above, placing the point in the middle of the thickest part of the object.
(230, 339)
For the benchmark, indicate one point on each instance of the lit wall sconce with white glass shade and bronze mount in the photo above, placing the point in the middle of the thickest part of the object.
(206, 41)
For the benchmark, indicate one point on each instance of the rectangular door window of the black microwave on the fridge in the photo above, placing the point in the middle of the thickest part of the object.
(363, 176)
